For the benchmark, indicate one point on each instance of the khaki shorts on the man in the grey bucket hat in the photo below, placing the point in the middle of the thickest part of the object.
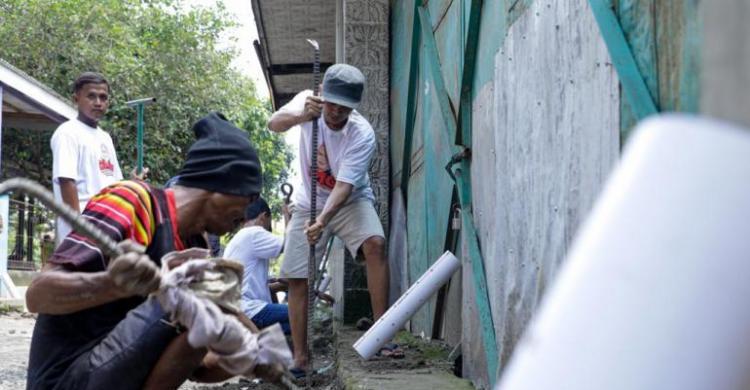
(353, 224)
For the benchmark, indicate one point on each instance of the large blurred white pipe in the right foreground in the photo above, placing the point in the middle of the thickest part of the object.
(654, 292)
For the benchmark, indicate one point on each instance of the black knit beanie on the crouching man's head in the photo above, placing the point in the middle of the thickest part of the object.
(222, 159)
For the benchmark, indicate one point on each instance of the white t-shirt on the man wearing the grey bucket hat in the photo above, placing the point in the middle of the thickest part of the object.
(348, 151)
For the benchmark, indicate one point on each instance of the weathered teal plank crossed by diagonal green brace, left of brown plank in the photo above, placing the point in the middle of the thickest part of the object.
(638, 22)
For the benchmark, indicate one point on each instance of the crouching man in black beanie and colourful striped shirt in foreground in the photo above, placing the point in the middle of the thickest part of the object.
(96, 329)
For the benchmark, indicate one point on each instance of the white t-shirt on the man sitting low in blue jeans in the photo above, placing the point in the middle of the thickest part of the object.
(254, 247)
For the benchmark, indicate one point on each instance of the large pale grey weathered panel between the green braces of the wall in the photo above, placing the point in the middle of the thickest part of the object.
(556, 124)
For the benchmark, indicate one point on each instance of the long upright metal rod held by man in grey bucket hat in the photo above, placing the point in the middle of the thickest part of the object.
(311, 269)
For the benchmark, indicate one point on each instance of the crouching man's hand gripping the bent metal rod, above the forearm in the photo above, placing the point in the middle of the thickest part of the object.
(133, 272)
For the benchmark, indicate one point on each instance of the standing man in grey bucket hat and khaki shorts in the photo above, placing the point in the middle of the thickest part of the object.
(346, 145)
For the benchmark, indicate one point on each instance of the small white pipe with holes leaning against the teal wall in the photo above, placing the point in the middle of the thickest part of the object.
(394, 319)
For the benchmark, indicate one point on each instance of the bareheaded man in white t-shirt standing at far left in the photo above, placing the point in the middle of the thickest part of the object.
(83, 156)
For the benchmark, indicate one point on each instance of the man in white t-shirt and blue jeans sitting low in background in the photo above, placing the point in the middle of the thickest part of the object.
(254, 246)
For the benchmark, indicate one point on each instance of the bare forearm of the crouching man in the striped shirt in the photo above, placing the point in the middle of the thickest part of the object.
(58, 291)
